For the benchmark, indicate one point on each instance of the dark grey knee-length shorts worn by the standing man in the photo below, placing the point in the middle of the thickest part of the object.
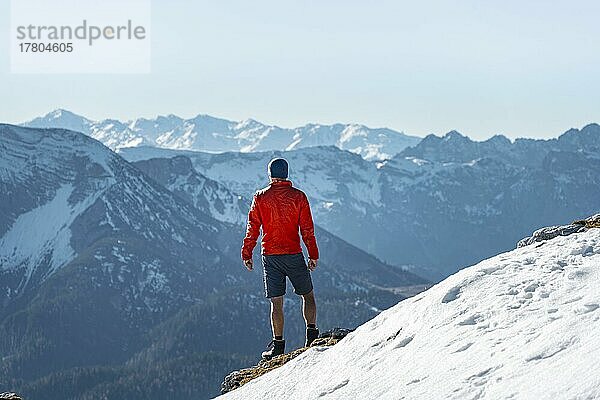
(277, 267)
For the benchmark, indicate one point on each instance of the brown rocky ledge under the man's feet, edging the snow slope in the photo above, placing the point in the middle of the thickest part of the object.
(239, 378)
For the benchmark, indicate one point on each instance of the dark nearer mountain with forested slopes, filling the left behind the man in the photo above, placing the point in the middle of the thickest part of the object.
(123, 279)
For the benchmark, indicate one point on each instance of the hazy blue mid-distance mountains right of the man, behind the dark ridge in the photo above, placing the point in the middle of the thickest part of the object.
(446, 202)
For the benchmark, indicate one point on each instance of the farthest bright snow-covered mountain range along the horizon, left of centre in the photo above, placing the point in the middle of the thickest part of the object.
(206, 133)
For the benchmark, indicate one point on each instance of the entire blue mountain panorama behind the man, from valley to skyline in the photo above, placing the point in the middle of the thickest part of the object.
(113, 262)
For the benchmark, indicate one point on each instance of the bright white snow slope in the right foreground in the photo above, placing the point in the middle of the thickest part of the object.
(521, 325)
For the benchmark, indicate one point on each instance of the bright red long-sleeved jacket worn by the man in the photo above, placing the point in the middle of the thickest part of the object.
(280, 209)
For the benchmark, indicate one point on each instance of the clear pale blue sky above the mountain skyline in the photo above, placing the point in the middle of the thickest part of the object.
(521, 68)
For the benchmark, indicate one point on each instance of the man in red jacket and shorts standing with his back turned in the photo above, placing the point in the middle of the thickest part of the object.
(281, 210)
